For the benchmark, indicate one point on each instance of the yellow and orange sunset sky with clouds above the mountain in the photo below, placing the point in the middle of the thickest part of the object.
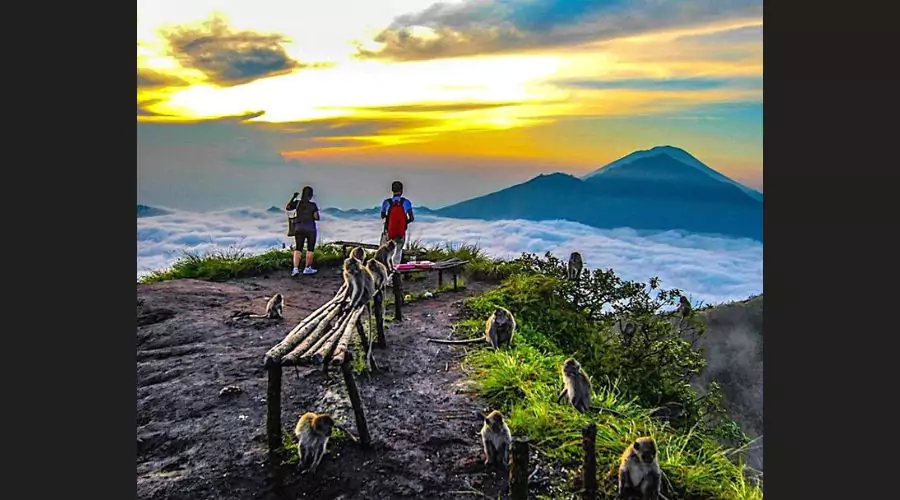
(242, 102)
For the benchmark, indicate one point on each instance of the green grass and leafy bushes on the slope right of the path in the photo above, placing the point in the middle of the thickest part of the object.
(698, 445)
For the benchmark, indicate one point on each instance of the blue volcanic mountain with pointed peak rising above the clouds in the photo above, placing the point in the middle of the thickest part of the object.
(650, 191)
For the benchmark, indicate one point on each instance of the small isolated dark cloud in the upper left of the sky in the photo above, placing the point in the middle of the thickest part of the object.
(230, 57)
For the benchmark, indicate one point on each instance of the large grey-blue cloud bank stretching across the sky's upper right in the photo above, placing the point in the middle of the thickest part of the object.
(489, 26)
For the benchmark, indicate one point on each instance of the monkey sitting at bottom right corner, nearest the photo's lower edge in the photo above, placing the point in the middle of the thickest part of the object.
(639, 472)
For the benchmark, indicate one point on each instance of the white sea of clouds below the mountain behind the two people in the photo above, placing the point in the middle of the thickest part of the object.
(709, 269)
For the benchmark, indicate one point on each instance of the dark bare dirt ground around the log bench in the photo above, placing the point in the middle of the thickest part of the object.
(195, 444)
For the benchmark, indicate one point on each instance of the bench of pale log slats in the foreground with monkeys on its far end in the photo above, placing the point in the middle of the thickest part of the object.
(322, 338)
